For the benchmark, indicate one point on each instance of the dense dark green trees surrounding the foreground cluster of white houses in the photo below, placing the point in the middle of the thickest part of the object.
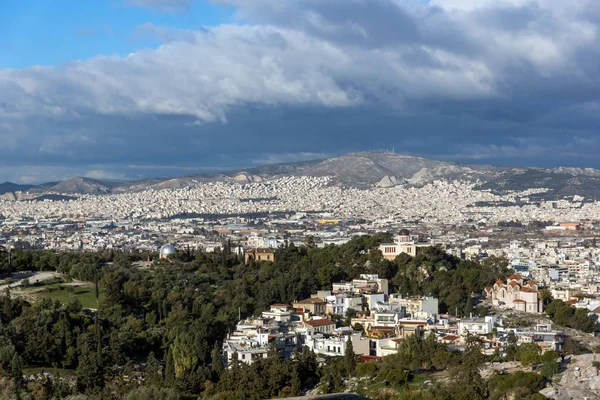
(157, 333)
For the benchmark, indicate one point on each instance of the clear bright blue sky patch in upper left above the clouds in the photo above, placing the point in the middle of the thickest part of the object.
(42, 32)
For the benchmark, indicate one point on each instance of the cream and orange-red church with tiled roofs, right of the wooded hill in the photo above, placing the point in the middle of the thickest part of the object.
(516, 294)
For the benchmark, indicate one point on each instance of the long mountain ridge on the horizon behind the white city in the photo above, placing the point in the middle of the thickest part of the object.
(362, 169)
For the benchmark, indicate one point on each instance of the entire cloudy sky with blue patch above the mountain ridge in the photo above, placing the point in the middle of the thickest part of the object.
(122, 89)
